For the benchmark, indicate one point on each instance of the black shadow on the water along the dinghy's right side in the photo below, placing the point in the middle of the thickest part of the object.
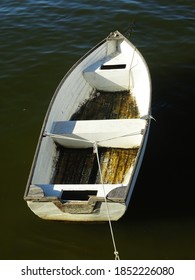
(167, 172)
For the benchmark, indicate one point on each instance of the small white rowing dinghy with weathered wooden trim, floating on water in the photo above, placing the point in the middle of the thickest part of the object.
(93, 137)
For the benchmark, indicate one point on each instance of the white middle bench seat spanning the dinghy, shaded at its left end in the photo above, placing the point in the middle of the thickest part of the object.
(119, 133)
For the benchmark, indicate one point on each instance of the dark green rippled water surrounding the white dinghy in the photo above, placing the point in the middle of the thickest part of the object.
(40, 40)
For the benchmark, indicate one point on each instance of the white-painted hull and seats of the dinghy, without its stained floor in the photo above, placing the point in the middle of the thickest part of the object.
(114, 65)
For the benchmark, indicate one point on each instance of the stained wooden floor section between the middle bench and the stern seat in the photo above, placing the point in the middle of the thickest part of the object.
(79, 166)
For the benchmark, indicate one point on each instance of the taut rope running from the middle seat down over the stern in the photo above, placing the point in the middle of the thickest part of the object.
(95, 150)
